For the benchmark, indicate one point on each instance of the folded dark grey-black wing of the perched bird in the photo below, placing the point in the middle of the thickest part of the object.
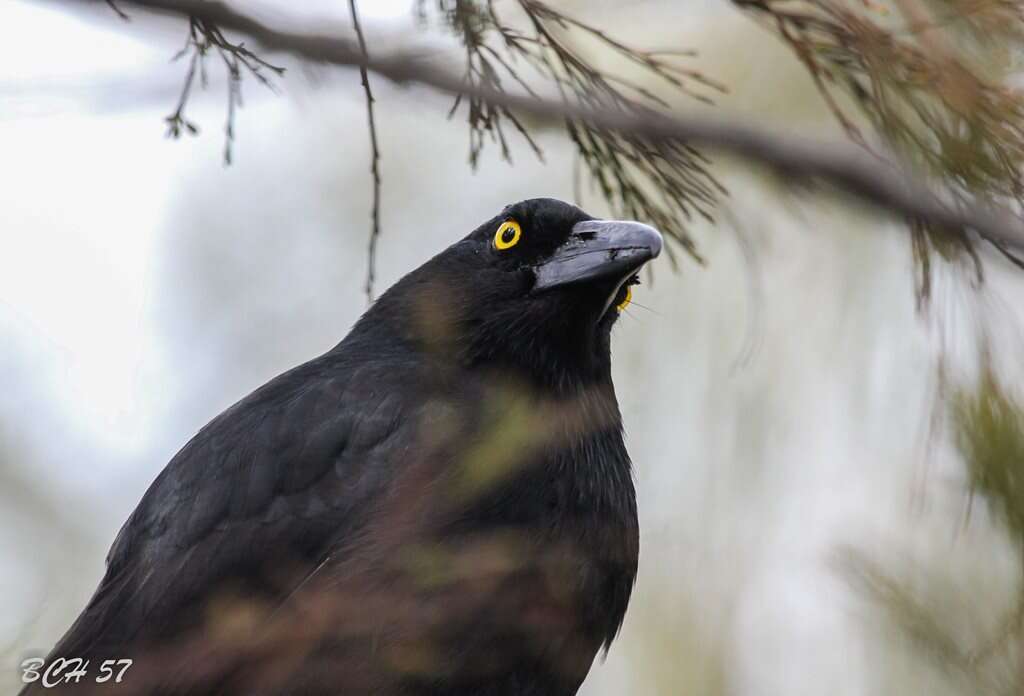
(250, 504)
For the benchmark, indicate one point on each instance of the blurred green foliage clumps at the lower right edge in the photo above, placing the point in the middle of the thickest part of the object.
(943, 624)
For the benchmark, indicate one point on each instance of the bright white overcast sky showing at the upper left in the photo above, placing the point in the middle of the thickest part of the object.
(88, 180)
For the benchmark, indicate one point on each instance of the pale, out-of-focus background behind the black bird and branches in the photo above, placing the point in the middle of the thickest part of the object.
(806, 510)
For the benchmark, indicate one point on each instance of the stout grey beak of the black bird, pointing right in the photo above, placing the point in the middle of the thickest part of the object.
(600, 249)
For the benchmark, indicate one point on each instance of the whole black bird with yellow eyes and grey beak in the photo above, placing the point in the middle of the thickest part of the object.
(441, 505)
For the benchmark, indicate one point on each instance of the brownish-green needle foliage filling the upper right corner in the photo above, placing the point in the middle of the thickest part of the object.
(933, 85)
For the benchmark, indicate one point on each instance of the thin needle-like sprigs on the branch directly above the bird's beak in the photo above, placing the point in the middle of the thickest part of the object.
(542, 51)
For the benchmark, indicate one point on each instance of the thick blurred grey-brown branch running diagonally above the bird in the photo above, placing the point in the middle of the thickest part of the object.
(799, 160)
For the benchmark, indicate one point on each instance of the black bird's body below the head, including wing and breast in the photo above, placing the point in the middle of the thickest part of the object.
(399, 529)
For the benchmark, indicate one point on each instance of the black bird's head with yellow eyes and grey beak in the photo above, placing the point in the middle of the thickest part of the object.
(538, 287)
